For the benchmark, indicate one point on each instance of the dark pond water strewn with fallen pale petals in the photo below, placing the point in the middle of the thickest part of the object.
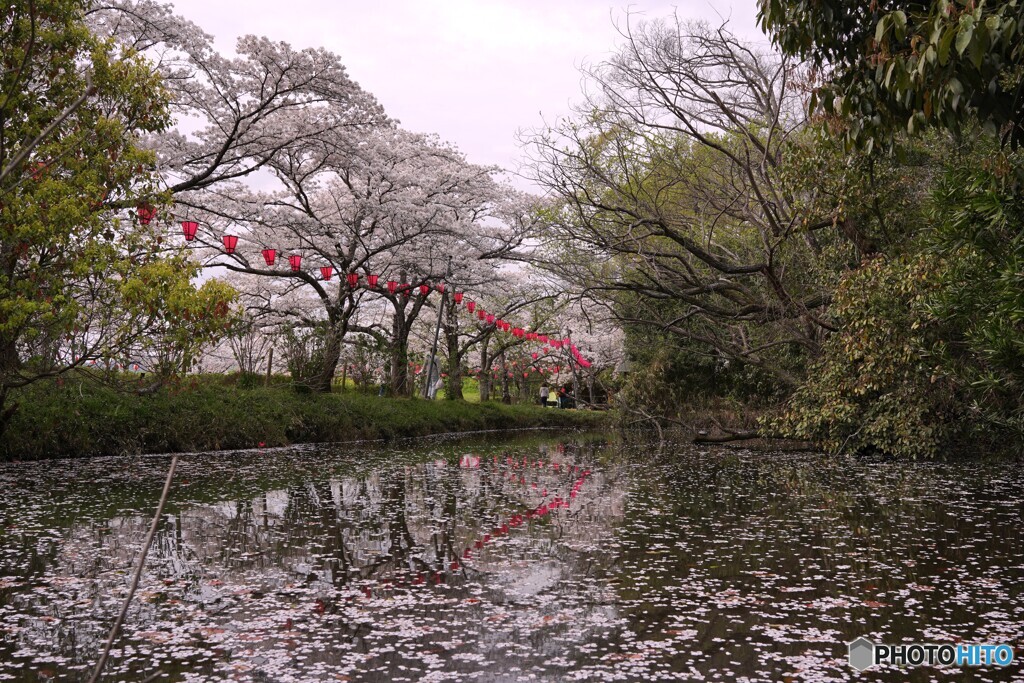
(536, 559)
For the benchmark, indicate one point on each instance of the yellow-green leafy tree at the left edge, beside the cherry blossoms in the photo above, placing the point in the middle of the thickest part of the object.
(80, 279)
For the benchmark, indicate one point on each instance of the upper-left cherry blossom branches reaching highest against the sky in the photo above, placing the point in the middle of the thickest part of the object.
(234, 116)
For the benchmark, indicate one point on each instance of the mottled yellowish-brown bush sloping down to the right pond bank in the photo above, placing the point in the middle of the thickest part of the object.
(877, 386)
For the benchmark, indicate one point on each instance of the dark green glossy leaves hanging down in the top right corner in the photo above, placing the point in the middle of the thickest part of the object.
(898, 67)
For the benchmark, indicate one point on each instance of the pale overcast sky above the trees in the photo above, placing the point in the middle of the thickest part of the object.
(473, 71)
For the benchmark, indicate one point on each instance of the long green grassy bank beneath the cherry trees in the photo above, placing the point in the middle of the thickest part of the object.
(83, 419)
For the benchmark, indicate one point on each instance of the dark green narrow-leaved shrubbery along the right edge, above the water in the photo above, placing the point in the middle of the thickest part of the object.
(979, 219)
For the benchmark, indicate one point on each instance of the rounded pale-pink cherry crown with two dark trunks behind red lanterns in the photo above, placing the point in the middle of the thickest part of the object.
(388, 203)
